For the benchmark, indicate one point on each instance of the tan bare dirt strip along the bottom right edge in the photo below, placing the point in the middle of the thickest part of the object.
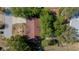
(69, 47)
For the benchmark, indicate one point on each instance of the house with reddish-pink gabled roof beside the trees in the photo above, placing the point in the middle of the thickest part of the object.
(33, 28)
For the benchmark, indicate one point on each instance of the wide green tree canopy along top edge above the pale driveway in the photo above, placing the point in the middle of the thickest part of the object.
(27, 12)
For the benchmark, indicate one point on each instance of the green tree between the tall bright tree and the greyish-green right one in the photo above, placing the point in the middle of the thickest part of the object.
(59, 26)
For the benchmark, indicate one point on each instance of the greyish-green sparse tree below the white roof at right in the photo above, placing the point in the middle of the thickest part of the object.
(69, 35)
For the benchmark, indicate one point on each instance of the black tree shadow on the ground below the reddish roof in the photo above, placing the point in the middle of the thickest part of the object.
(35, 44)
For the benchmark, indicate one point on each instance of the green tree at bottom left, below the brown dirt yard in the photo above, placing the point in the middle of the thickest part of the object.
(17, 43)
